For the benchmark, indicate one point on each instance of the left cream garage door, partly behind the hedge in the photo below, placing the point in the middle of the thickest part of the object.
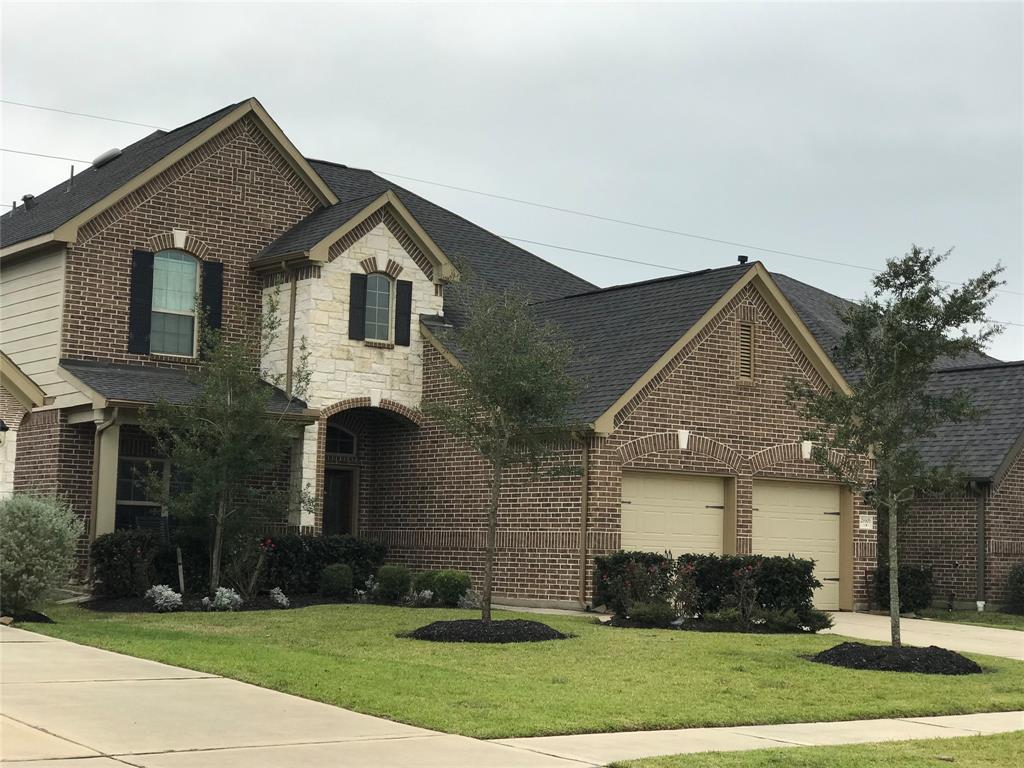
(678, 514)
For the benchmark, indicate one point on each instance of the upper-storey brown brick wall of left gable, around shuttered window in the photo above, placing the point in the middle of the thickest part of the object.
(232, 196)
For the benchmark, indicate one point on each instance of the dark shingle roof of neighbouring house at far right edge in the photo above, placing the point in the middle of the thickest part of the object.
(979, 448)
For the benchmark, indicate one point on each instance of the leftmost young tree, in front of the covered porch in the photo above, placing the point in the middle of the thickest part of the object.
(221, 442)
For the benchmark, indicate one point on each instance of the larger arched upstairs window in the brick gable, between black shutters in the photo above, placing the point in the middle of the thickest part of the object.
(176, 284)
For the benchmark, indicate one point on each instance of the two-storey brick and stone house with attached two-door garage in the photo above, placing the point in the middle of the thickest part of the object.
(691, 447)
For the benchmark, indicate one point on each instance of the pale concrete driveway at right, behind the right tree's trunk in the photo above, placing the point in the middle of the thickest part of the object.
(962, 637)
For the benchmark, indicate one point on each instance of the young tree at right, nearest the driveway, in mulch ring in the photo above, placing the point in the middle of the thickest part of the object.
(893, 339)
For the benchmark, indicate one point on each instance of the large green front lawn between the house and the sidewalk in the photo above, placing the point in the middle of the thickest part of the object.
(603, 680)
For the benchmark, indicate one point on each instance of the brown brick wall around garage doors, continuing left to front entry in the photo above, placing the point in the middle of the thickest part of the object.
(424, 493)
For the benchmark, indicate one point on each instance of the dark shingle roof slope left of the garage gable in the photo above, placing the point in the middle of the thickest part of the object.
(619, 333)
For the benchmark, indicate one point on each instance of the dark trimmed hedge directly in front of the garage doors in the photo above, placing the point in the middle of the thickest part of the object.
(712, 583)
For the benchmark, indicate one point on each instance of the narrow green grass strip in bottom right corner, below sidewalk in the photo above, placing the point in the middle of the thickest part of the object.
(969, 752)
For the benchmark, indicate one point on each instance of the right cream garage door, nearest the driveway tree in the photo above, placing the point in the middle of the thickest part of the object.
(802, 520)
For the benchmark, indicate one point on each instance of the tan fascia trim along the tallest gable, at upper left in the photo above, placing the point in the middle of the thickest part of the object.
(68, 232)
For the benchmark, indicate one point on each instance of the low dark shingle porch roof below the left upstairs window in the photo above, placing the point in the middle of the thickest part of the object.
(149, 385)
